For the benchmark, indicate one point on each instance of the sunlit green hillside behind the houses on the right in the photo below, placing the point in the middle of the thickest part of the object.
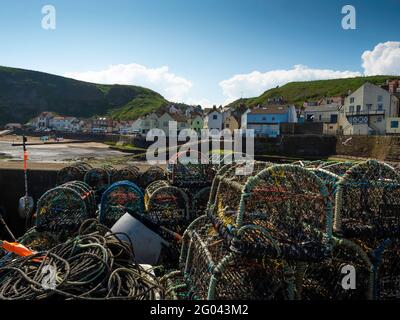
(298, 92)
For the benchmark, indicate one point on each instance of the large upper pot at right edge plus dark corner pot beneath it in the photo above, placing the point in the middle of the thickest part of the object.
(367, 216)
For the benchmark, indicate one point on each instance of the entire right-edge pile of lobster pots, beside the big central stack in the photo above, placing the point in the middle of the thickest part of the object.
(366, 199)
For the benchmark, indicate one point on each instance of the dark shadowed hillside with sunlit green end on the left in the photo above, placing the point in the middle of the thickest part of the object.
(24, 94)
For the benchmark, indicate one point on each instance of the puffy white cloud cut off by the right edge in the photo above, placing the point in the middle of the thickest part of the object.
(384, 59)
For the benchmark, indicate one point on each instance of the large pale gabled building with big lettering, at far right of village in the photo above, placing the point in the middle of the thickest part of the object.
(368, 110)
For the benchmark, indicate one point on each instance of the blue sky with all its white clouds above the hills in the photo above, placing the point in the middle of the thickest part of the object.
(208, 51)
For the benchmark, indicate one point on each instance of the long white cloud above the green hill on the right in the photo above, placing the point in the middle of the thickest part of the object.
(255, 83)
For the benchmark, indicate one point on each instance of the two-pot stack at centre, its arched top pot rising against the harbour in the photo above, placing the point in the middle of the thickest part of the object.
(194, 174)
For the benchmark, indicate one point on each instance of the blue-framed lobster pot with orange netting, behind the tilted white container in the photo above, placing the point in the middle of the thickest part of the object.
(120, 198)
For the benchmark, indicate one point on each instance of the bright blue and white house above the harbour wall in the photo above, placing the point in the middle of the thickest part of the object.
(265, 121)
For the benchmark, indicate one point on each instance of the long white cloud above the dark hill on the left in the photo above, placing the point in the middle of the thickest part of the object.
(172, 87)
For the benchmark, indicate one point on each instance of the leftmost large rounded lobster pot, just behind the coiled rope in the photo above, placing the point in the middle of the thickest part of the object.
(65, 207)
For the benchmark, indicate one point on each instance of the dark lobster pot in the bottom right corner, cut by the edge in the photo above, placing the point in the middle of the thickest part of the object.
(387, 266)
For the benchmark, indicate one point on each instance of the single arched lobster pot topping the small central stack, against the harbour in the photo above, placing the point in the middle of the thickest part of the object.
(189, 171)
